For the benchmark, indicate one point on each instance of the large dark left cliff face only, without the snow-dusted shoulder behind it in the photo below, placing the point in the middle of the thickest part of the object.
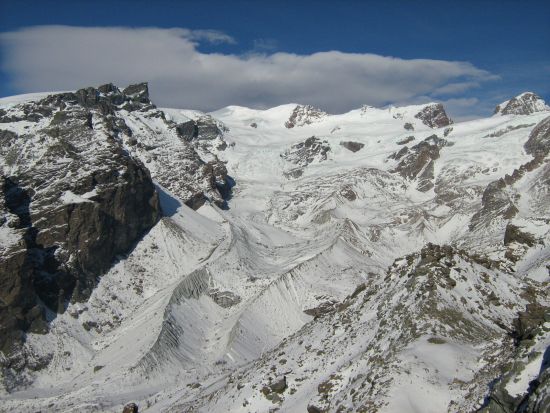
(70, 213)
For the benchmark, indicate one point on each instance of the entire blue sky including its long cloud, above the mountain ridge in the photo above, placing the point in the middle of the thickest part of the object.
(506, 44)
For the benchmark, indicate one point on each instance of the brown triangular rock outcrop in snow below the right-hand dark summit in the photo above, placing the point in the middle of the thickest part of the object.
(418, 162)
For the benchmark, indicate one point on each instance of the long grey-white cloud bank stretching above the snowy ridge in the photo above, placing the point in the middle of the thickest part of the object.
(61, 57)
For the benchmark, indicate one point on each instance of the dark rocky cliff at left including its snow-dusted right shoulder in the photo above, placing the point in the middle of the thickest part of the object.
(75, 194)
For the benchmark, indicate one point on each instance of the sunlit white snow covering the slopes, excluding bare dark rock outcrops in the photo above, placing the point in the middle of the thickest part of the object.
(286, 245)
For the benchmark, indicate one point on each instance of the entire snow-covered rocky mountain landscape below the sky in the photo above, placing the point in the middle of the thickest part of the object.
(286, 259)
